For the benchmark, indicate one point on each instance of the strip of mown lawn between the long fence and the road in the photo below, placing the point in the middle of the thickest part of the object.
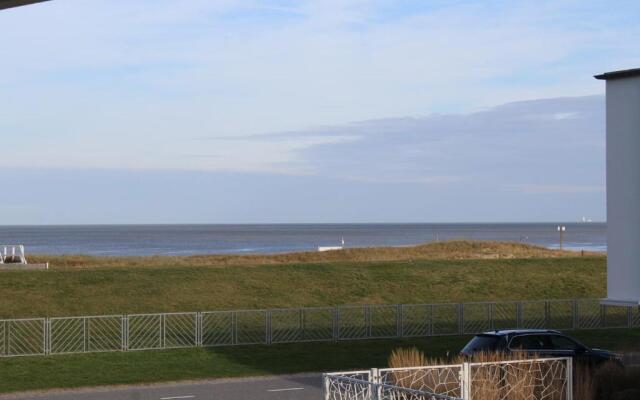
(68, 371)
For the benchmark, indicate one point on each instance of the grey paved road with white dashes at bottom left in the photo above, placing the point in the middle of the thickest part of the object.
(291, 387)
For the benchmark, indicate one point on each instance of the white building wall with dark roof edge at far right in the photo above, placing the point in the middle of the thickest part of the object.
(623, 186)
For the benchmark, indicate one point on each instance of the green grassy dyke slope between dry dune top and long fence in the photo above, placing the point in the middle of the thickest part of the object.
(119, 290)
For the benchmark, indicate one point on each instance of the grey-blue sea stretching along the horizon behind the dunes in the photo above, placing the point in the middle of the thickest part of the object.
(145, 240)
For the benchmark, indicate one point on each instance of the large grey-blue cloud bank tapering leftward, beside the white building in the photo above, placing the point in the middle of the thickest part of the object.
(558, 141)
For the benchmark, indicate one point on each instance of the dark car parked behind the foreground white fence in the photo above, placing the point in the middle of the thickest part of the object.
(546, 343)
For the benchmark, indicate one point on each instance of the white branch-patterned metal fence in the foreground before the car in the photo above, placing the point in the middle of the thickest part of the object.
(536, 379)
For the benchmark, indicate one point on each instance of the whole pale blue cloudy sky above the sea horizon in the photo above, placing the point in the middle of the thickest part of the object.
(201, 111)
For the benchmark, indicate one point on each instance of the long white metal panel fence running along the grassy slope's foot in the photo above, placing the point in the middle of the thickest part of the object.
(40, 336)
